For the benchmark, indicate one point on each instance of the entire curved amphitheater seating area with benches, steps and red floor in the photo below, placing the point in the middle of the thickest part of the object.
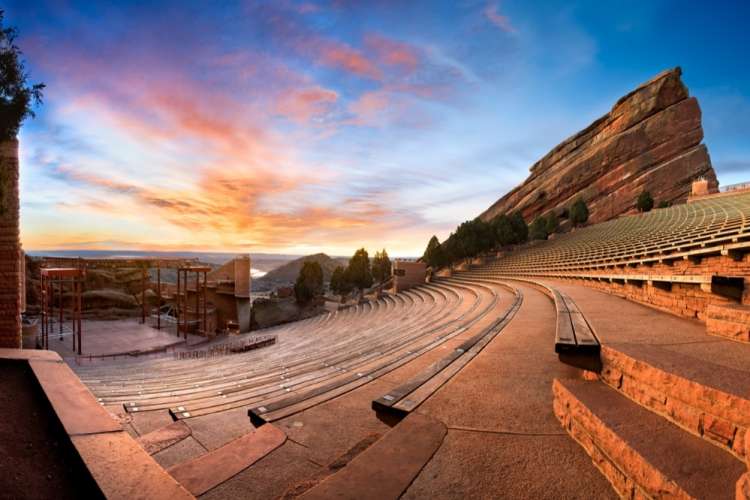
(609, 361)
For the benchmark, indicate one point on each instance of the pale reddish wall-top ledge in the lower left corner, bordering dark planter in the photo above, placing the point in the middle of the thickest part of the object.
(120, 467)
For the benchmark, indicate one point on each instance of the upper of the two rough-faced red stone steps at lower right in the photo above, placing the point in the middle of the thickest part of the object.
(710, 400)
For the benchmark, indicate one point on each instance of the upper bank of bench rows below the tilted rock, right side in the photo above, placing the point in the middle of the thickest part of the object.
(692, 260)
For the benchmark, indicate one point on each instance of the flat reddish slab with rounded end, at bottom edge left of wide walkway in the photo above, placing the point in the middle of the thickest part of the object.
(387, 468)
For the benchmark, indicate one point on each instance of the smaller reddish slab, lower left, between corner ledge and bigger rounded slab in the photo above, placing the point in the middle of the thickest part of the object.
(210, 470)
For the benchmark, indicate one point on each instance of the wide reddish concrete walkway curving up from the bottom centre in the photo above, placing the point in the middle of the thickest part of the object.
(503, 439)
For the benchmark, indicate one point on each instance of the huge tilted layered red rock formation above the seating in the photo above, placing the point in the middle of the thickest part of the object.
(650, 140)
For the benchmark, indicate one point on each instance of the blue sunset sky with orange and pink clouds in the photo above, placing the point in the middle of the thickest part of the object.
(300, 126)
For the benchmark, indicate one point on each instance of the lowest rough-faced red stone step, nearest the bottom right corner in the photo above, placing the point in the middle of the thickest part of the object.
(640, 453)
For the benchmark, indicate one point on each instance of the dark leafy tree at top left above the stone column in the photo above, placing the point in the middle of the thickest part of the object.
(16, 96)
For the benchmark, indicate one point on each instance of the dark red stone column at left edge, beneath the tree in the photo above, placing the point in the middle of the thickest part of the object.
(10, 247)
